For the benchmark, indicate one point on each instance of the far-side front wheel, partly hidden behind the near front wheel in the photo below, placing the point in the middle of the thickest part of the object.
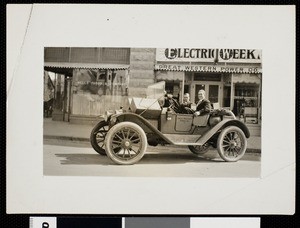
(97, 137)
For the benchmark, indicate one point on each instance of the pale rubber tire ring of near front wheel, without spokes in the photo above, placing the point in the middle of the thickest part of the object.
(110, 136)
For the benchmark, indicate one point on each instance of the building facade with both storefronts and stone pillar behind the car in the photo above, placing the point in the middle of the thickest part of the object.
(89, 81)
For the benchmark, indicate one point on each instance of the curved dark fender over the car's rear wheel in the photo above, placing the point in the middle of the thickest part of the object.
(221, 125)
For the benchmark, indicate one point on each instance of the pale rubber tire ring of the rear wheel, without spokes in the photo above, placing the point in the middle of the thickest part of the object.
(220, 149)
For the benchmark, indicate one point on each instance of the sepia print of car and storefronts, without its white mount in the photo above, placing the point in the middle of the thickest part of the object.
(170, 112)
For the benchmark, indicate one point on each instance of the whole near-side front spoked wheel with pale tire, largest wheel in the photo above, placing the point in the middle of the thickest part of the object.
(126, 143)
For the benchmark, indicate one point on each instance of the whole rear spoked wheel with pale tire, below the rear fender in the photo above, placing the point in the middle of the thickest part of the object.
(232, 144)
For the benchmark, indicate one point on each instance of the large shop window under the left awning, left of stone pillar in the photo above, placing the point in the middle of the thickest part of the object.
(95, 92)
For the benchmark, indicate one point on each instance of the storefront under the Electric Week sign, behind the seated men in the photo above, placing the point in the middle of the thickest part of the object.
(231, 78)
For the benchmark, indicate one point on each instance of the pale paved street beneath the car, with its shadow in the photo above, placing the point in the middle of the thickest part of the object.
(67, 158)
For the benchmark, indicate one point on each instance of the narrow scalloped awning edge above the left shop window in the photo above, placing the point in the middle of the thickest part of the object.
(86, 65)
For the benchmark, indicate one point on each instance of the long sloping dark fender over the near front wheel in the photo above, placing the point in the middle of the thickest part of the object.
(142, 122)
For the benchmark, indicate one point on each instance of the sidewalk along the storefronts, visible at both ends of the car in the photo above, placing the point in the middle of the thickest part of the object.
(75, 132)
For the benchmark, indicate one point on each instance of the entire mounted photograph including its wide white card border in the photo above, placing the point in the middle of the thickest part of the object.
(150, 109)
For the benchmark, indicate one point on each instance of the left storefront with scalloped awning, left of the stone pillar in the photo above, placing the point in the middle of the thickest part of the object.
(88, 81)
